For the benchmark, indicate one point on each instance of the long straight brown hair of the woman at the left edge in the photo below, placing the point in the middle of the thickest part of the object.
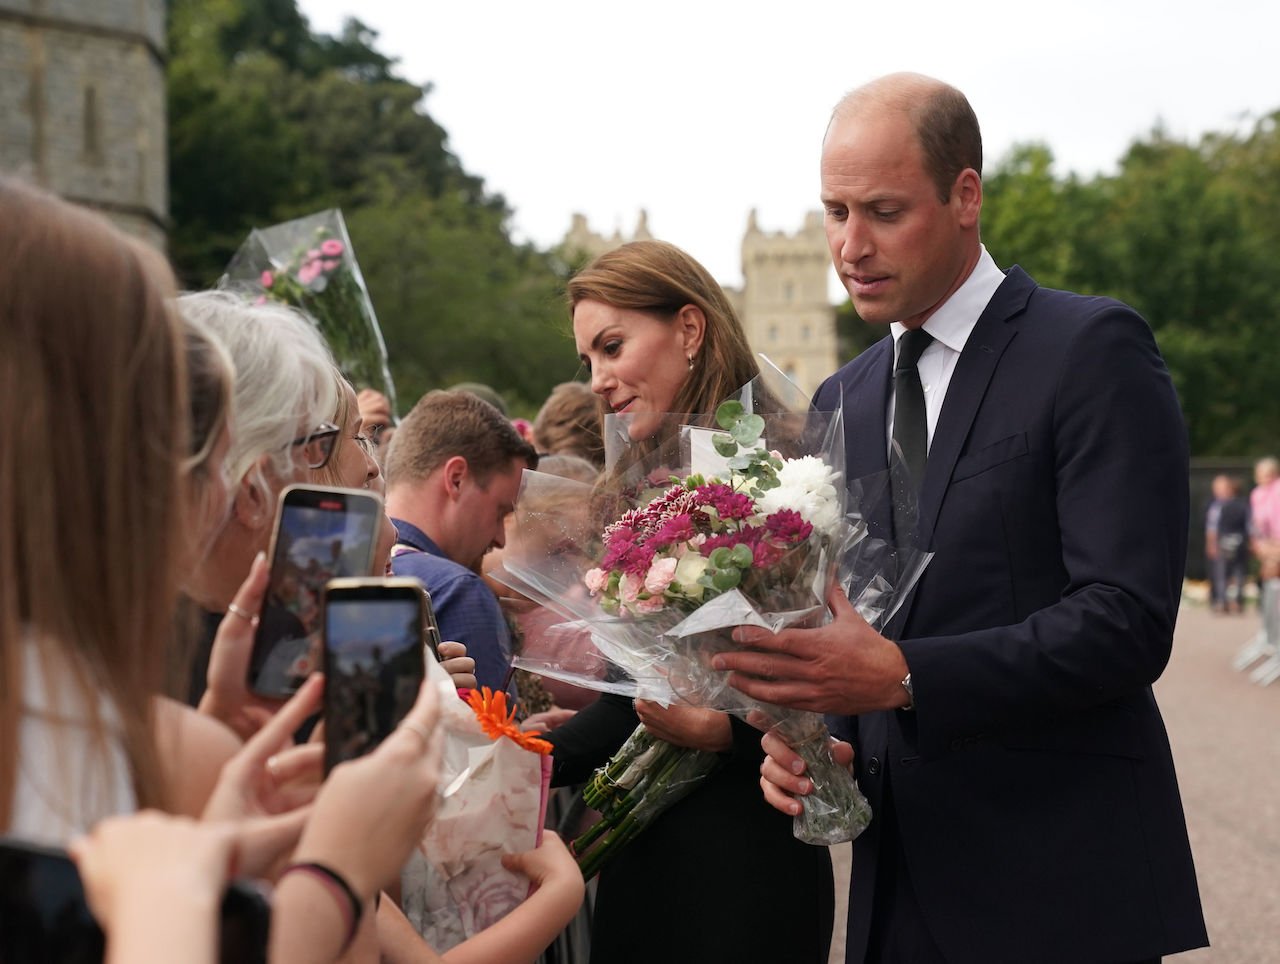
(93, 376)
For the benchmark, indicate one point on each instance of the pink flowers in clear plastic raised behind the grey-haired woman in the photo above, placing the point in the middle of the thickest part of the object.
(309, 264)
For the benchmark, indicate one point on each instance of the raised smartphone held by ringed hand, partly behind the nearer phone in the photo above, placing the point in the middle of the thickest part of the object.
(321, 534)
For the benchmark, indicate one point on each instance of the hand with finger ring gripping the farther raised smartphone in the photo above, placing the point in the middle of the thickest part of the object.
(227, 697)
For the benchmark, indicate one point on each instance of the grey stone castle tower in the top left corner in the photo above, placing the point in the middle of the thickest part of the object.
(83, 106)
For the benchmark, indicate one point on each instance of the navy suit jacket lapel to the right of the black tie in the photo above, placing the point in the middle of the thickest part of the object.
(970, 381)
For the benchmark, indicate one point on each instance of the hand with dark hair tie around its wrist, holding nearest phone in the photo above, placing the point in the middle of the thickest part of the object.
(372, 812)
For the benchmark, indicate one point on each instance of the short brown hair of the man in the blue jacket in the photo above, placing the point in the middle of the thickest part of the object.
(447, 424)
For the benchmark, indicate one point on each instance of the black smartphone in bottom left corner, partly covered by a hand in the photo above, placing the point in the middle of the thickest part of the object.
(44, 915)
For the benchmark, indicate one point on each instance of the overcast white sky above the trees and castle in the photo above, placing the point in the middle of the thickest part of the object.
(700, 111)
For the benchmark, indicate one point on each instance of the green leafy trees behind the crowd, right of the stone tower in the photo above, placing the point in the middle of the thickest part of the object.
(271, 121)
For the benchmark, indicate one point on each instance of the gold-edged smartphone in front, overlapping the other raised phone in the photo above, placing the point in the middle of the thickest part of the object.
(377, 634)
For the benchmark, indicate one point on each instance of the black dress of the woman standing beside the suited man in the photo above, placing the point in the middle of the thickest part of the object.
(719, 878)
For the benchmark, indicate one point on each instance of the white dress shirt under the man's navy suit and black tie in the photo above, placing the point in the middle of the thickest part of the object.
(950, 326)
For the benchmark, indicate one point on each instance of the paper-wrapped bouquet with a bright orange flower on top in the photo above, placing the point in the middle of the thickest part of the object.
(495, 783)
